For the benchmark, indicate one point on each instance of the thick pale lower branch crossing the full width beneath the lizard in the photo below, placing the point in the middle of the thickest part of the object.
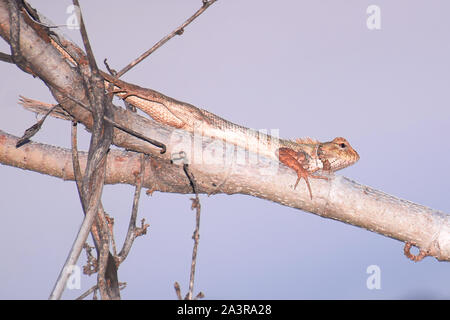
(339, 198)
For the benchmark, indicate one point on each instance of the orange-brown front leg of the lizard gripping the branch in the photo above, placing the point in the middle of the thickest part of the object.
(296, 160)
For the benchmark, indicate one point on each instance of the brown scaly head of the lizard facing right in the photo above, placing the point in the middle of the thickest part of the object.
(337, 154)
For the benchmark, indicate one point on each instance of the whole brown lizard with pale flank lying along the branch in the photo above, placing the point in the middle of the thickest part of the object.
(304, 156)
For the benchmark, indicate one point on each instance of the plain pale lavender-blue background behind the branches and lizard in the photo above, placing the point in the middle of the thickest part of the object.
(307, 68)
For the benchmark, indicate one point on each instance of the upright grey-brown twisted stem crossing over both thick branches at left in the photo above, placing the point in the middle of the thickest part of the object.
(94, 175)
